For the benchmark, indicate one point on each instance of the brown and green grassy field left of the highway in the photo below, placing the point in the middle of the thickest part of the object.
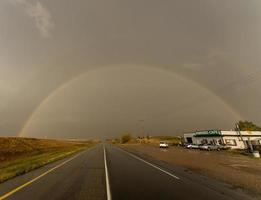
(21, 155)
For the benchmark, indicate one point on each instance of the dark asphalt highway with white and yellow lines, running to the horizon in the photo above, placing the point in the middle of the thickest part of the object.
(108, 172)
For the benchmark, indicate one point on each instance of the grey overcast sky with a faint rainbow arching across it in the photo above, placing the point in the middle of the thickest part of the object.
(97, 68)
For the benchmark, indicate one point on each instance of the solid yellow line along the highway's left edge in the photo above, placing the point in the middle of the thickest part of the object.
(35, 179)
